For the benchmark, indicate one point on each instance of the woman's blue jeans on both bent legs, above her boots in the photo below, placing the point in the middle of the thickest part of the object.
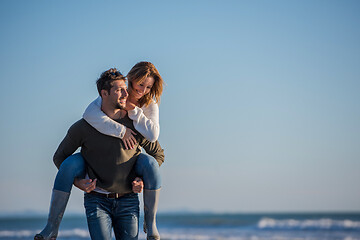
(73, 167)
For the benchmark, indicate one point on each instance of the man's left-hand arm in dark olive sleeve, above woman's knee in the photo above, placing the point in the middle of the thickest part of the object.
(69, 144)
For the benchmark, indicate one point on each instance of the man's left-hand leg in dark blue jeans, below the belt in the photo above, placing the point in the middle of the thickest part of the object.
(98, 215)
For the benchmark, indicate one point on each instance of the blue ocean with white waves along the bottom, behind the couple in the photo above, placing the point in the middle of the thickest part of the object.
(190, 226)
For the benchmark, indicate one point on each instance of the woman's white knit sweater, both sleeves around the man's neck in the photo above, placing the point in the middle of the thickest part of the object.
(145, 119)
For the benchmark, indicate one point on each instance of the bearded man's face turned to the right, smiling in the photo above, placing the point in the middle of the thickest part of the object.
(118, 94)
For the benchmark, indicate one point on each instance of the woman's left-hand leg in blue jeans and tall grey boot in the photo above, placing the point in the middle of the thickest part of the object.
(72, 167)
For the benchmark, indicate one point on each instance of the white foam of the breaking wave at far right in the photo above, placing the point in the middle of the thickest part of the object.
(325, 223)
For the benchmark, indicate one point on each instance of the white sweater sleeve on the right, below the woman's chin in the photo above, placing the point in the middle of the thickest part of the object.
(146, 121)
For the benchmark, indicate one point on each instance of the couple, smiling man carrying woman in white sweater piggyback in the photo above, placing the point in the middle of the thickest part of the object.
(110, 167)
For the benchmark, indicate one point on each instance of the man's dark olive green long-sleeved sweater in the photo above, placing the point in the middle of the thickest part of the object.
(106, 158)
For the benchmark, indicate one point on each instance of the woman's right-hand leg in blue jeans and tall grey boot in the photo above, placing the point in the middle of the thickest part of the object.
(147, 168)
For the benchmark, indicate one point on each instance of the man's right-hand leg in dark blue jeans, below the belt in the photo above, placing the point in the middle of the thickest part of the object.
(126, 217)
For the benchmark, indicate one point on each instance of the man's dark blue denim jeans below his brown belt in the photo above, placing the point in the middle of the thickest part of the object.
(104, 213)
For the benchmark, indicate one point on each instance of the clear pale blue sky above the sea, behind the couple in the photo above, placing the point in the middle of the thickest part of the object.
(261, 111)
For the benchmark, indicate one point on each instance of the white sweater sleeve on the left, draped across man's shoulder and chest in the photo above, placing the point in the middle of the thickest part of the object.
(101, 122)
